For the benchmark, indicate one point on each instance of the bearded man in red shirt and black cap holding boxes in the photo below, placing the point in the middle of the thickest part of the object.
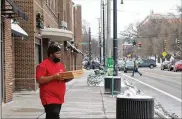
(52, 85)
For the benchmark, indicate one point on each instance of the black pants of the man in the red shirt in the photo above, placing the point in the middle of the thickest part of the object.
(52, 111)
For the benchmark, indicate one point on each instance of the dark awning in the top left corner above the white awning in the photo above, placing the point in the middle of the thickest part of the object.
(14, 11)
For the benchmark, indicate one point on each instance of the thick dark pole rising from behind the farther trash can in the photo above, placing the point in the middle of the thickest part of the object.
(115, 40)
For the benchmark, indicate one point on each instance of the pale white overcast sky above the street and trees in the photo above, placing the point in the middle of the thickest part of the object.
(131, 11)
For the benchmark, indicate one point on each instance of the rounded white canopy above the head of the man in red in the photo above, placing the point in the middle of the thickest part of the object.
(55, 34)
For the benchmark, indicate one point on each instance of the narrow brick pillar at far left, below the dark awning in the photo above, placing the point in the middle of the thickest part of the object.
(8, 62)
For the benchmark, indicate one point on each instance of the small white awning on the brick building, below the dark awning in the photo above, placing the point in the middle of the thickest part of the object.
(17, 30)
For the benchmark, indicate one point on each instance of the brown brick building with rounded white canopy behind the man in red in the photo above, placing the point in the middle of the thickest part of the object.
(50, 21)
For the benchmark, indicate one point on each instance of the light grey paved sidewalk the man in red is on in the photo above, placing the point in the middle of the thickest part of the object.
(81, 101)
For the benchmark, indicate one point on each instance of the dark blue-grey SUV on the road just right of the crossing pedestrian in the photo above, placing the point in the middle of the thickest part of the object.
(147, 63)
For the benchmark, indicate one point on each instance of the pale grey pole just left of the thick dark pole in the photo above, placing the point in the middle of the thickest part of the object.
(109, 43)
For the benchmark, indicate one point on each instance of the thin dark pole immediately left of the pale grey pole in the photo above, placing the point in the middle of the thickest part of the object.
(104, 55)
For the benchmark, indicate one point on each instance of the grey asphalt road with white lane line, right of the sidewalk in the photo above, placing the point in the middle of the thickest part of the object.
(164, 86)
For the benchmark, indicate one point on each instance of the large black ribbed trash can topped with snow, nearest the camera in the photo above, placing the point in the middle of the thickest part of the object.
(134, 107)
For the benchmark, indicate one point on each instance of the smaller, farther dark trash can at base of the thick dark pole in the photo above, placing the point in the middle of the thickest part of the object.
(116, 83)
